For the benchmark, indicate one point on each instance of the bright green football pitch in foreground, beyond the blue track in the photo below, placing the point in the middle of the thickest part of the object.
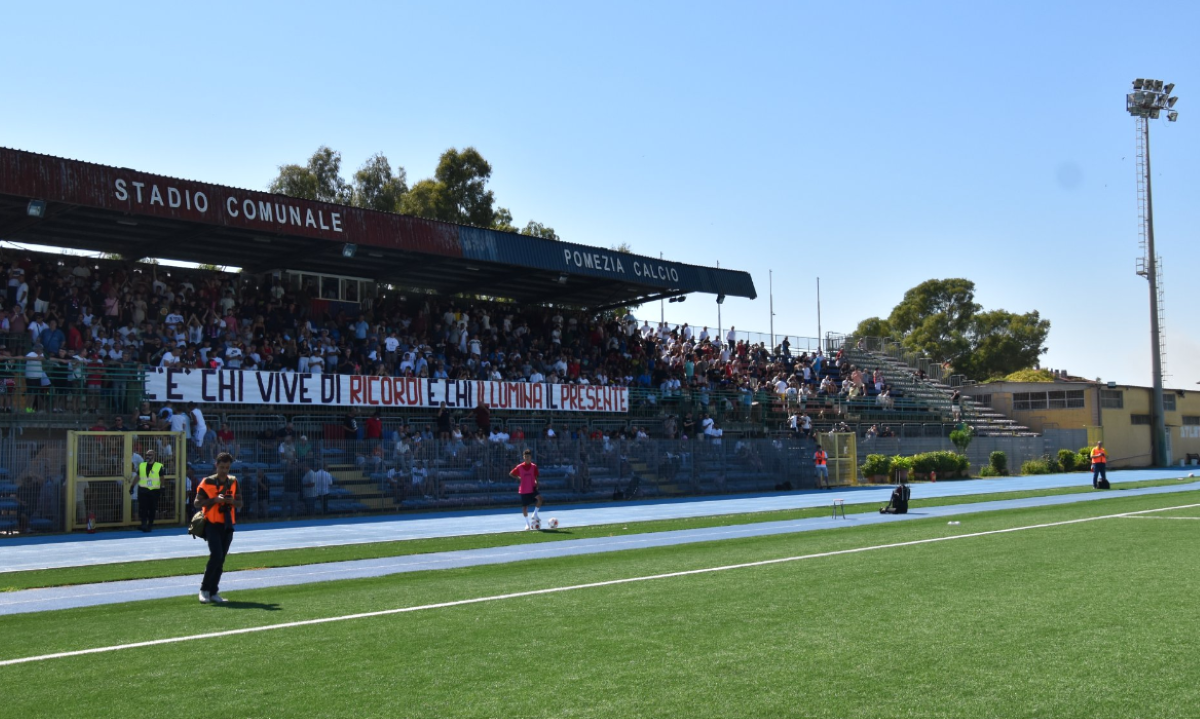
(1081, 610)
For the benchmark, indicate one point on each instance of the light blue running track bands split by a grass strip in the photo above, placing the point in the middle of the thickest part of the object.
(34, 601)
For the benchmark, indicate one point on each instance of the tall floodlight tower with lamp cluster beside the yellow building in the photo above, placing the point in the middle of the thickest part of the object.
(1148, 101)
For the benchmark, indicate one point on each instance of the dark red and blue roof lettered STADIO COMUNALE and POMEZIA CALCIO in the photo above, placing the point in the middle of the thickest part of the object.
(122, 211)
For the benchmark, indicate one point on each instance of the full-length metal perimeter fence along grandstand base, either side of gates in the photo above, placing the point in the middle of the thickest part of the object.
(281, 480)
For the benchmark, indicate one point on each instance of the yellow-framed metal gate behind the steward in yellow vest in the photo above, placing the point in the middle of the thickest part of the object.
(101, 477)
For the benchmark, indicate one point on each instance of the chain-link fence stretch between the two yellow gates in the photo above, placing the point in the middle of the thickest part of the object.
(293, 478)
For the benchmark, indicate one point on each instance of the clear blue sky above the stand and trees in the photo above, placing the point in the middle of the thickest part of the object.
(875, 145)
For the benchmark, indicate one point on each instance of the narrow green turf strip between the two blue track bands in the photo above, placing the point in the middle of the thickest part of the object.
(160, 568)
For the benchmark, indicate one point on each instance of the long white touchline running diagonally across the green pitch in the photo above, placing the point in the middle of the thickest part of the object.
(568, 589)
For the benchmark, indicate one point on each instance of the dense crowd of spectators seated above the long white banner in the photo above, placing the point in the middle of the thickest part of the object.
(89, 326)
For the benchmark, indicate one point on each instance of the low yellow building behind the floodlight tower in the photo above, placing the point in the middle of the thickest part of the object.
(1069, 409)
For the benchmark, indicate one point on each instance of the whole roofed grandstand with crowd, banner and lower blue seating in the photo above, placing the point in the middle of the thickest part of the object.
(407, 359)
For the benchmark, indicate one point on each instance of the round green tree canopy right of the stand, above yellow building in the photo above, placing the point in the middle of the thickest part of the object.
(941, 320)
